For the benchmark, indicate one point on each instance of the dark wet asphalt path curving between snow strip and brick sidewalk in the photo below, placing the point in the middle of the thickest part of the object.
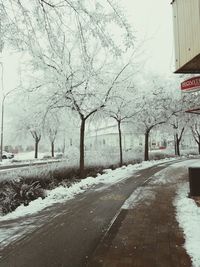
(68, 239)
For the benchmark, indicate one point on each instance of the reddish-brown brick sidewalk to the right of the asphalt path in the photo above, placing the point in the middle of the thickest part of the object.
(145, 235)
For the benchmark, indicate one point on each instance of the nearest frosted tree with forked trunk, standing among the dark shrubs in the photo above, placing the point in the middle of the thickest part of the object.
(86, 99)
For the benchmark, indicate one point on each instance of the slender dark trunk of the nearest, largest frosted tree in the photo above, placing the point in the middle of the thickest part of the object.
(82, 151)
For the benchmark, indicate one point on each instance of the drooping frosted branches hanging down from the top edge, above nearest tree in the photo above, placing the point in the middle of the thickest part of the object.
(47, 29)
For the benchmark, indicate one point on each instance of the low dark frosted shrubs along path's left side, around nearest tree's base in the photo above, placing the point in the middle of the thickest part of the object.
(27, 185)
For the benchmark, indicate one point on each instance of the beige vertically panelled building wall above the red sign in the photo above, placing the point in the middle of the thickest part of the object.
(186, 16)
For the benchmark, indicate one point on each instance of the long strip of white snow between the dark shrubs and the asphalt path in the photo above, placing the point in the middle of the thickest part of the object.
(62, 194)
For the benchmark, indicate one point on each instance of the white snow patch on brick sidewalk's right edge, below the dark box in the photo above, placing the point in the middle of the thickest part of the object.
(188, 216)
